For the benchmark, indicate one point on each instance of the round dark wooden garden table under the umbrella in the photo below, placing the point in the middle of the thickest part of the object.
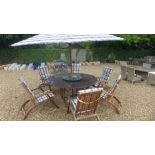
(58, 82)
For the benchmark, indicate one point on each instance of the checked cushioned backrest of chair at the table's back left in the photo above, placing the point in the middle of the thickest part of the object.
(44, 74)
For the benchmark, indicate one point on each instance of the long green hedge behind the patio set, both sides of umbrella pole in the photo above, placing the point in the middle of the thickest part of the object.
(104, 54)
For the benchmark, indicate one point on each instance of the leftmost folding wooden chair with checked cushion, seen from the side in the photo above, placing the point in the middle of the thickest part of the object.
(35, 99)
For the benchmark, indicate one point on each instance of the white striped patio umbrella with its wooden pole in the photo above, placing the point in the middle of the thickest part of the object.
(66, 38)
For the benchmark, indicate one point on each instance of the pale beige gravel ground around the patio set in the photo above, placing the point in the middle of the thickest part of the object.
(137, 99)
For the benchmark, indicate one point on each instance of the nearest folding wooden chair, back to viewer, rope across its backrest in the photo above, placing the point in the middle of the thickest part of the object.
(84, 105)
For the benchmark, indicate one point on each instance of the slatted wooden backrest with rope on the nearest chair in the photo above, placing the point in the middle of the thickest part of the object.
(88, 100)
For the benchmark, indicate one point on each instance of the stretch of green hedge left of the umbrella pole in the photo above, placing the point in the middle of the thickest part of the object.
(20, 55)
